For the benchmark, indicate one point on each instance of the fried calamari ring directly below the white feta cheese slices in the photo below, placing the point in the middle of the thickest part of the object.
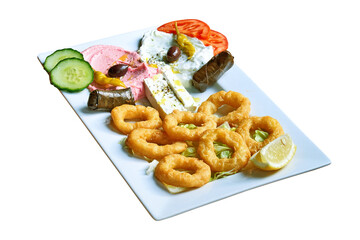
(201, 120)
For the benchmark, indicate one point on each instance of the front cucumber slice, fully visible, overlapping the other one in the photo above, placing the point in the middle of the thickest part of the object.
(72, 75)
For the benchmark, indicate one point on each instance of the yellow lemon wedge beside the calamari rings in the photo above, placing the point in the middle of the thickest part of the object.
(276, 154)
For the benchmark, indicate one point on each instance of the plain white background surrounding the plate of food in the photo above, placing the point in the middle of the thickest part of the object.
(56, 182)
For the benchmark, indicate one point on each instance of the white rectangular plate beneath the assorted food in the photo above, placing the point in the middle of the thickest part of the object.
(160, 203)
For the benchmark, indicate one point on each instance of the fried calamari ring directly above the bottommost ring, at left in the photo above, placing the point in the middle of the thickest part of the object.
(153, 143)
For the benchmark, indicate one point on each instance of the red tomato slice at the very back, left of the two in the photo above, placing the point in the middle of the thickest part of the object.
(189, 27)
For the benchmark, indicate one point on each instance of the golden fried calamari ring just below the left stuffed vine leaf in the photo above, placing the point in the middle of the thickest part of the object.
(149, 117)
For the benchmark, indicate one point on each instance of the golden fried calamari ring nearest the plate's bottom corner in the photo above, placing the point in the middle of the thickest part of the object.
(167, 171)
